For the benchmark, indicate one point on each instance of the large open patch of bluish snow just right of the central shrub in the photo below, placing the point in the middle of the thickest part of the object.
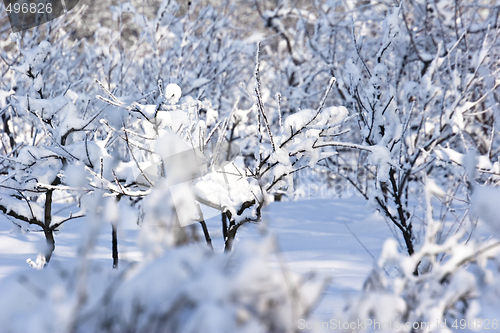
(320, 236)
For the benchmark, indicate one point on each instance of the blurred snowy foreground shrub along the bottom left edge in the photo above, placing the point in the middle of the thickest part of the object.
(187, 289)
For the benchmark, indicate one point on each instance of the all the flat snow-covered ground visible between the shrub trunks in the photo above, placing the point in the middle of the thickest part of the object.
(332, 237)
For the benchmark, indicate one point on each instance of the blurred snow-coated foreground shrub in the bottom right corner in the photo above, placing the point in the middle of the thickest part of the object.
(443, 284)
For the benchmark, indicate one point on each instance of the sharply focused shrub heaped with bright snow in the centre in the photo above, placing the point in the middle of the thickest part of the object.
(242, 161)
